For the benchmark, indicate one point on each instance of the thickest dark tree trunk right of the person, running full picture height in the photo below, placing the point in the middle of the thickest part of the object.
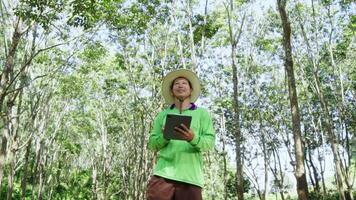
(302, 185)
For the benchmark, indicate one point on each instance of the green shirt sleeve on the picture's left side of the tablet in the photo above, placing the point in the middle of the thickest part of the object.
(156, 140)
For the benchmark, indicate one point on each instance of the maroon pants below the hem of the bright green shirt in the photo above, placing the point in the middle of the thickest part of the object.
(164, 189)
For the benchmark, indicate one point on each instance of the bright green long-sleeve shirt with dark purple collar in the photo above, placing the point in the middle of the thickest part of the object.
(178, 159)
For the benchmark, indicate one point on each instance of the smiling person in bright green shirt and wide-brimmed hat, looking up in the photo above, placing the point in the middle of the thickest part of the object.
(178, 173)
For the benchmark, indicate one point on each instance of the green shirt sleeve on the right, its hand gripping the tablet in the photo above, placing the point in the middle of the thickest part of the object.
(205, 139)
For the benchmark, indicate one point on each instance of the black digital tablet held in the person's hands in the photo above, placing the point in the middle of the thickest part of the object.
(175, 121)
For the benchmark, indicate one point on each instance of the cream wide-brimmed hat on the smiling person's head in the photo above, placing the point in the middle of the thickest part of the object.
(171, 76)
